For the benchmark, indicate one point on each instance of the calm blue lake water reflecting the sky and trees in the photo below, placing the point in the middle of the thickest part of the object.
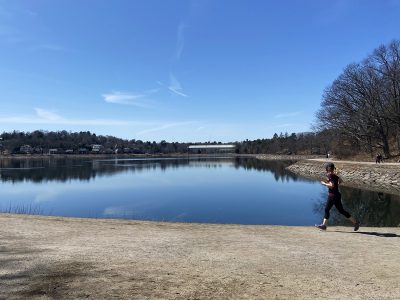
(212, 190)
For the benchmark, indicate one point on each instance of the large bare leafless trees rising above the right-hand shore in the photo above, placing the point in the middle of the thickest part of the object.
(361, 108)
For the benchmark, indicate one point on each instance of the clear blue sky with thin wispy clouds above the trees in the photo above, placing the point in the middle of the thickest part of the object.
(175, 70)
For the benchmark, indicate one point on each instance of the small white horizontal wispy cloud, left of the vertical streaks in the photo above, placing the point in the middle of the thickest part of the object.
(125, 98)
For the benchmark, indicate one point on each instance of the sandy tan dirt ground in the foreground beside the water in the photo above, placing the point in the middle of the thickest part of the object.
(60, 258)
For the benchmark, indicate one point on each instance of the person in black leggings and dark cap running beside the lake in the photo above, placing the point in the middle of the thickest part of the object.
(334, 198)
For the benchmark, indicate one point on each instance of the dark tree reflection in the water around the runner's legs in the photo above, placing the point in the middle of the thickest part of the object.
(374, 209)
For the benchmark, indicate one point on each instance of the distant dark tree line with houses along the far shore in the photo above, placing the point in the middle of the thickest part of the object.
(40, 142)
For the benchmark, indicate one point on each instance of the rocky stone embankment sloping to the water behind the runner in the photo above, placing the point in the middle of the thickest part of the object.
(383, 177)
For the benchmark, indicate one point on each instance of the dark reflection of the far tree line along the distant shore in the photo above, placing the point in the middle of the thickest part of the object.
(57, 169)
